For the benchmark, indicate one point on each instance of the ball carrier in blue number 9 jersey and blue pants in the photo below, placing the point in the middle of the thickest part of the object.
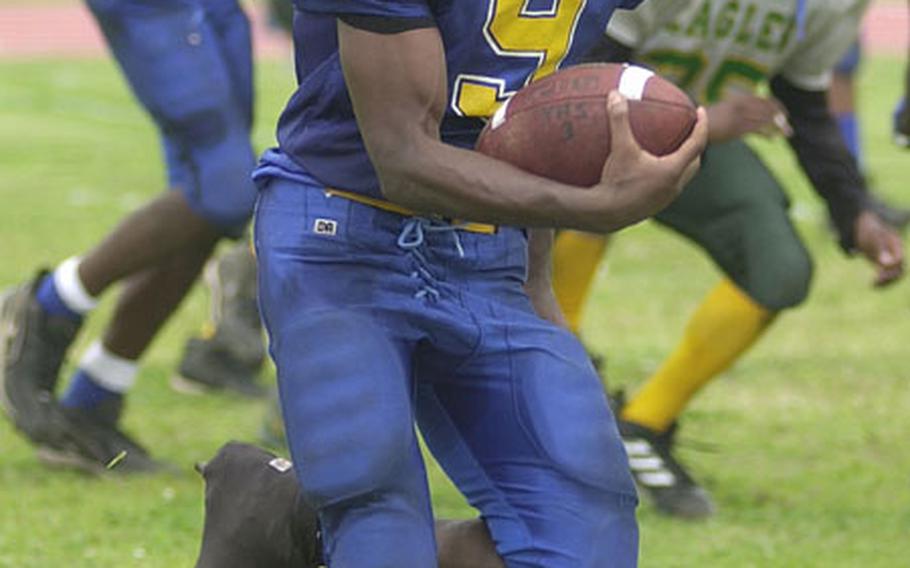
(384, 310)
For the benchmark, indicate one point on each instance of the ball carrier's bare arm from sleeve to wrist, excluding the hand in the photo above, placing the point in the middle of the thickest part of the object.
(398, 89)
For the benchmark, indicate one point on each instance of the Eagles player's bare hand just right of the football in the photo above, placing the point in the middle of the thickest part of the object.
(742, 114)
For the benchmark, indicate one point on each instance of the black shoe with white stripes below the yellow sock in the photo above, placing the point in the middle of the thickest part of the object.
(660, 475)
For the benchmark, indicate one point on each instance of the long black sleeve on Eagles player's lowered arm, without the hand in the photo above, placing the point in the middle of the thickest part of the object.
(824, 156)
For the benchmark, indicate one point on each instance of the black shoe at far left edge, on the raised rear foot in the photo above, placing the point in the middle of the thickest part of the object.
(33, 345)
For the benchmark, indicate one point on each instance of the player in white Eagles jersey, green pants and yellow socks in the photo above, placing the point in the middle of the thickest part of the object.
(734, 209)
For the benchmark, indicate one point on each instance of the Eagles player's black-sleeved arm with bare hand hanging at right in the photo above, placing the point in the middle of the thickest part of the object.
(834, 173)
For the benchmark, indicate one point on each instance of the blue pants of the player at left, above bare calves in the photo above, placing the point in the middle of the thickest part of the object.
(189, 62)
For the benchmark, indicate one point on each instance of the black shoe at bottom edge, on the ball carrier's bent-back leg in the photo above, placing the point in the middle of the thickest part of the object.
(254, 513)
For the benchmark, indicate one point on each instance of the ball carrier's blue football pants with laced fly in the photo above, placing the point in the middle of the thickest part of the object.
(377, 320)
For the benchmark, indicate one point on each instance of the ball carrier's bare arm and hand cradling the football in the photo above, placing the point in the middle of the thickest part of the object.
(397, 84)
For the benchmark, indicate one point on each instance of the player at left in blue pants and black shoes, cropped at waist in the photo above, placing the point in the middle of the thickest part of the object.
(189, 63)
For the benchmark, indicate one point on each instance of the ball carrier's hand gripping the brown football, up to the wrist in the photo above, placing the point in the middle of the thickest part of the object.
(638, 183)
